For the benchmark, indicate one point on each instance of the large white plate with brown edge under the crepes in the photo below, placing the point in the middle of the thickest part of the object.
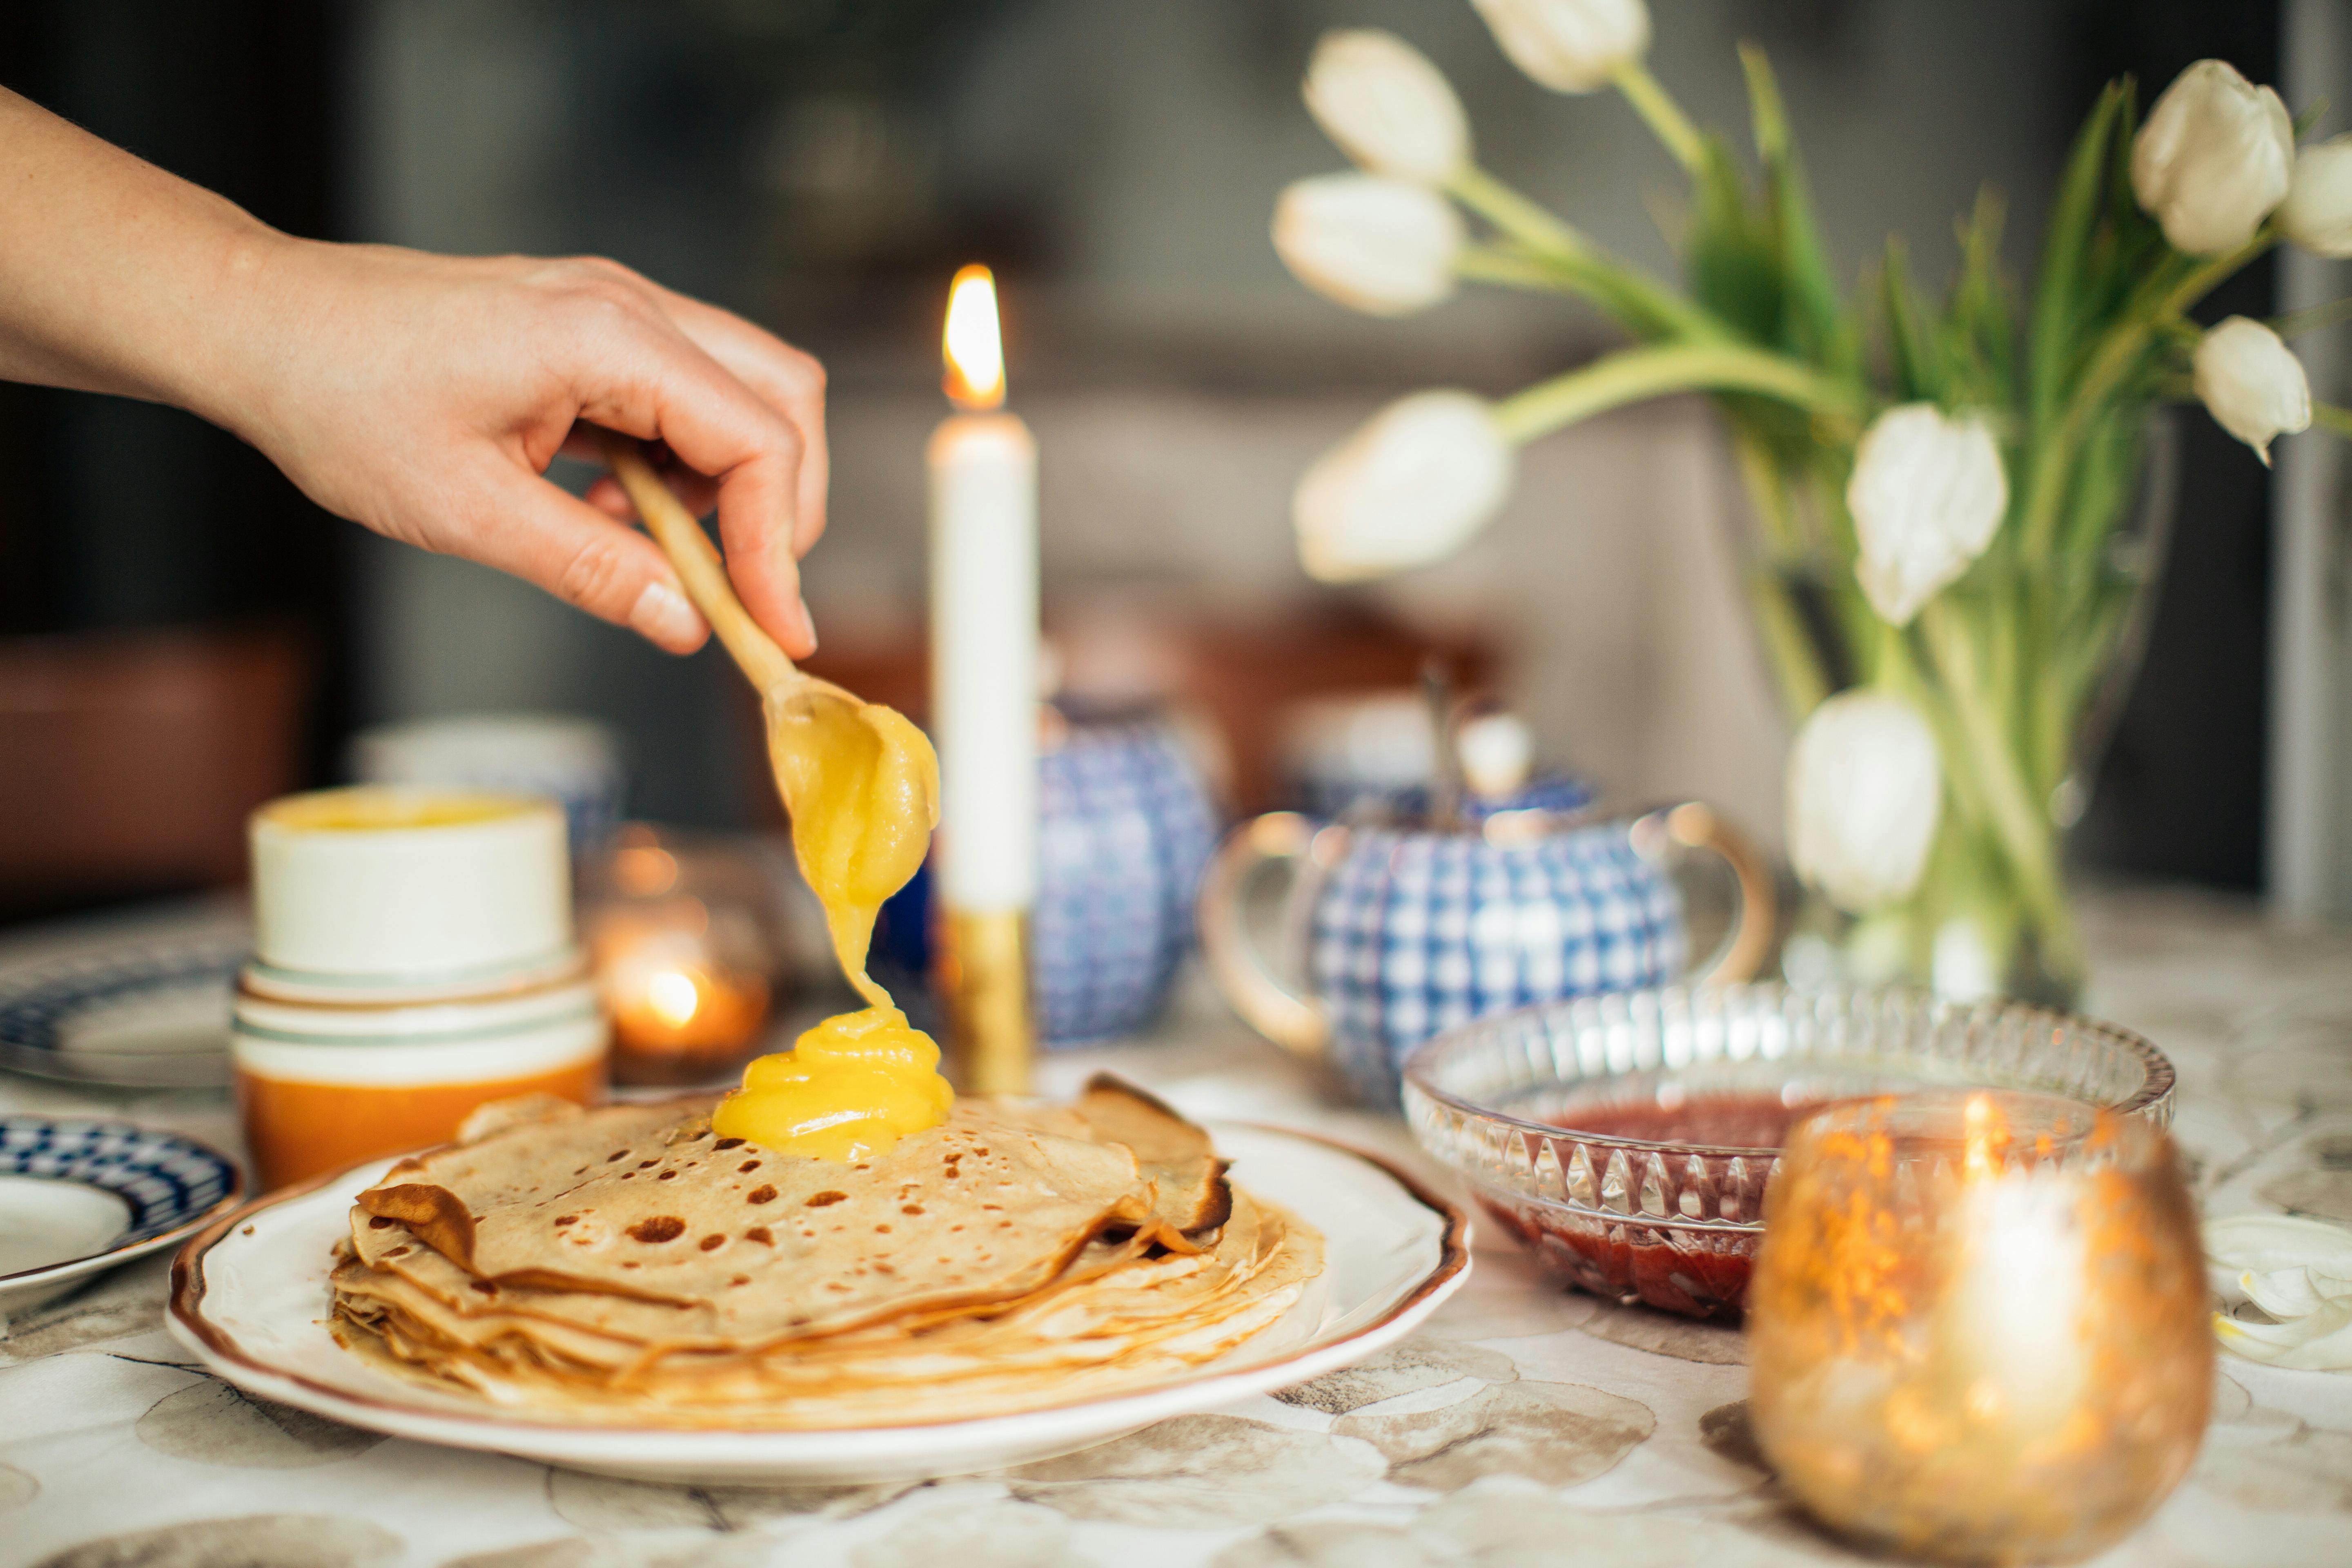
(250, 1301)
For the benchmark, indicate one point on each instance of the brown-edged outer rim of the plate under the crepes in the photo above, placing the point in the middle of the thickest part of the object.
(220, 1351)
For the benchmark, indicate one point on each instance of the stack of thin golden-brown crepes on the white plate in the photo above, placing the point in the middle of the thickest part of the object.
(629, 1268)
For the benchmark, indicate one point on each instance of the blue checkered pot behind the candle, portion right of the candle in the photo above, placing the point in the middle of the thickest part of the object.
(1125, 826)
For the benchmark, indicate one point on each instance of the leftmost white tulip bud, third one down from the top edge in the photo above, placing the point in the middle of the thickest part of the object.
(1370, 243)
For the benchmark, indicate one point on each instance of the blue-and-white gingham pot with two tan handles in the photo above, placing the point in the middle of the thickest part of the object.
(1412, 930)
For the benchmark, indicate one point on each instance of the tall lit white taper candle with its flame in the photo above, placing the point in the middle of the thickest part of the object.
(984, 622)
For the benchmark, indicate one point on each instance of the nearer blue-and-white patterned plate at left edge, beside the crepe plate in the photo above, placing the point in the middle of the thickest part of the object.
(79, 1198)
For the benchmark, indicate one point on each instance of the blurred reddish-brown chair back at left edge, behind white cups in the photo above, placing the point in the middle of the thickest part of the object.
(131, 760)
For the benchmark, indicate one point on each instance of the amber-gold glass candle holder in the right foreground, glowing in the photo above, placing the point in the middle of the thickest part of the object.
(1979, 1325)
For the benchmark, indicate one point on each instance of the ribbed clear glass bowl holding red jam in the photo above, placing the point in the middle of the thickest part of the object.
(1542, 1111)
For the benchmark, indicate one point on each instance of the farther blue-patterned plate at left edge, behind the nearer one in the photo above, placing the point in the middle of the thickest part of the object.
(147, 1014)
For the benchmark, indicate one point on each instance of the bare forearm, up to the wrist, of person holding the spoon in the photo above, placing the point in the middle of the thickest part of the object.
(119, 276)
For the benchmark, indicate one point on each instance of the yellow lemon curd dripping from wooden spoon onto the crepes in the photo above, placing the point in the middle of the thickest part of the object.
(862, 789)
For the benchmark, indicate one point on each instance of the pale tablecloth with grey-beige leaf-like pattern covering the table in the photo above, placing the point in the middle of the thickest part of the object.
(1523, 1426)
